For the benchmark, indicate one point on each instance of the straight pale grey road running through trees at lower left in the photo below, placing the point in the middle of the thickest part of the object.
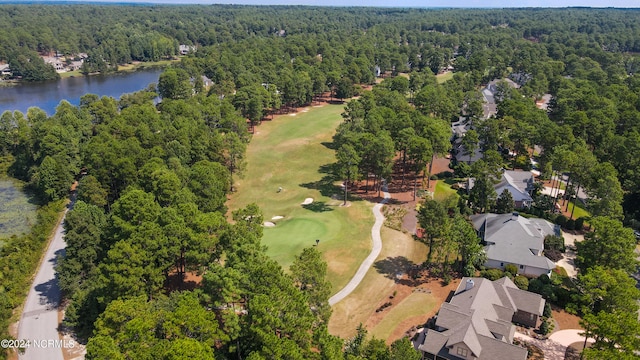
(39, 319)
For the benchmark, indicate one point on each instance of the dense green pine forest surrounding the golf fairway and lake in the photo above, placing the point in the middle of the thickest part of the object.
(152, 204)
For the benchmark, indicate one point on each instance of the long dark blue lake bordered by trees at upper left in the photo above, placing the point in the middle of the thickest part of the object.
(47, 95)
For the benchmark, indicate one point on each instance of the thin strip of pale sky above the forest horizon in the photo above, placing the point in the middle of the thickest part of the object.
(407, 3)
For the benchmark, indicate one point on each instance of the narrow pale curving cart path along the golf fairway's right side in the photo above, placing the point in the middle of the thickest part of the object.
(375, 251)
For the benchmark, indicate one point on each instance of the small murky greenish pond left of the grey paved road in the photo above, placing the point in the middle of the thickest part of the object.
(17, 213)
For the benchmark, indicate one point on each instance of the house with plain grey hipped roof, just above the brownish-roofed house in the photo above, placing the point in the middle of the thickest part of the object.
(513, 239)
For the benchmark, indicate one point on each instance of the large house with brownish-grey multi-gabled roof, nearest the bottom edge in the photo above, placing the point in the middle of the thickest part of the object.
(477, 323)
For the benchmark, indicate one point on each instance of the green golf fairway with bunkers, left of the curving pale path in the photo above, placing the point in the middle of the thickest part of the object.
(293, 152)
